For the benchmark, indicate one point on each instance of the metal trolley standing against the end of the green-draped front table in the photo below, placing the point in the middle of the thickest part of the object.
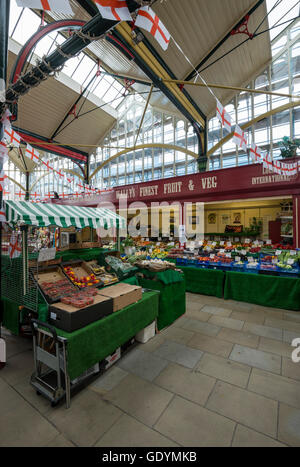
(50, 377)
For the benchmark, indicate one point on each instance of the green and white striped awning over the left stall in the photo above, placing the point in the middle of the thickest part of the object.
(45, 214)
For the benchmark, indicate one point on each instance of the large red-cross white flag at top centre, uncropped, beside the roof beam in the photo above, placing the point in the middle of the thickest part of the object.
(148, 20)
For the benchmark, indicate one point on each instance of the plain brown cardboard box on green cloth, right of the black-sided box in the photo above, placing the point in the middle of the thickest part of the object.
(122, 295)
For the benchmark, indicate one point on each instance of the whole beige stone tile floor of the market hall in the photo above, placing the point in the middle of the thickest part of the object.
(221, 375)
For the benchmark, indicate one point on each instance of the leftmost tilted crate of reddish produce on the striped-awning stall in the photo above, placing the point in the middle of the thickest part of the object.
(53, 283)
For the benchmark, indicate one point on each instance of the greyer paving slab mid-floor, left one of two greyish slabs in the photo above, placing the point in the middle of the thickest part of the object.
(178, 353)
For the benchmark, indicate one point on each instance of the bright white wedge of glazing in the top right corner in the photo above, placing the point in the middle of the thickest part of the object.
(281, 14)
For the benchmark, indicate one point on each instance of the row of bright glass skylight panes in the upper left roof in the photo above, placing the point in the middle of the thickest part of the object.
(24, 22)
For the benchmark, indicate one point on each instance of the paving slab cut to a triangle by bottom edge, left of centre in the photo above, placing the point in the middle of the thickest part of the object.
(128, 432)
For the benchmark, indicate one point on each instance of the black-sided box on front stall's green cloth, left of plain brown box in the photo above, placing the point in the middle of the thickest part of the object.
(69, 318)
